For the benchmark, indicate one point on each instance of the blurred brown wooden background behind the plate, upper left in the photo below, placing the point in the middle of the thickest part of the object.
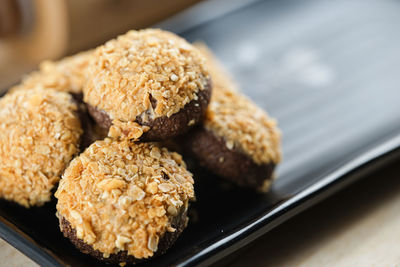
(33, 30)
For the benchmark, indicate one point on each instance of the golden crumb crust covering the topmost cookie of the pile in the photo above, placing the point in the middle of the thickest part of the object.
(142, 67)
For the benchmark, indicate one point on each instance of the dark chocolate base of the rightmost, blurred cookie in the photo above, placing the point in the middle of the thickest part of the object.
(211, 152)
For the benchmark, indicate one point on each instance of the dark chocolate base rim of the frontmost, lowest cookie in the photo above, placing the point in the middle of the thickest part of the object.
(166, 241)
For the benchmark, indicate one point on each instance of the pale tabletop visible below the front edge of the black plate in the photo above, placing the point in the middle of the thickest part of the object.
(359, 226)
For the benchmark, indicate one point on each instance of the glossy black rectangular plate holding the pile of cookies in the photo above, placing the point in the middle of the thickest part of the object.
(329, 72)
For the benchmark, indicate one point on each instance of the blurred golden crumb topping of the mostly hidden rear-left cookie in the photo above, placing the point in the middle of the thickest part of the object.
(67, 75)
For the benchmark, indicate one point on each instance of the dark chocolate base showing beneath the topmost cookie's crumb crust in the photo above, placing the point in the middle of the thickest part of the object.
(163, 128)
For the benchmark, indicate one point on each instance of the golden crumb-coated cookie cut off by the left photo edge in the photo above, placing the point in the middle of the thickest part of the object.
(40, 132)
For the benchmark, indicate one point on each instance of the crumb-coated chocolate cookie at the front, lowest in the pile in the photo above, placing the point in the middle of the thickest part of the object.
(124, 202)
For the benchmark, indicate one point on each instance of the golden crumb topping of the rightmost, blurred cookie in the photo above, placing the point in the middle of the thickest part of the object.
(237, 119)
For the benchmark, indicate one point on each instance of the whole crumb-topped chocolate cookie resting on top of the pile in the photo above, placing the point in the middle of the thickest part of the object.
(149, 85)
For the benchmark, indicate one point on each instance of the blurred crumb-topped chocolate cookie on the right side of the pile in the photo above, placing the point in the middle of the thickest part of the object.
(238, 140)
